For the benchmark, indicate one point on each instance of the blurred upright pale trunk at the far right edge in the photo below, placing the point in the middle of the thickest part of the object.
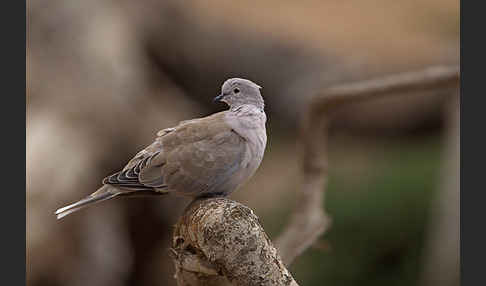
(442, 253)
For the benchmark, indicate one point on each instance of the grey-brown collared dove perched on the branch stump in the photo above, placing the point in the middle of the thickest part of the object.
(209, 156)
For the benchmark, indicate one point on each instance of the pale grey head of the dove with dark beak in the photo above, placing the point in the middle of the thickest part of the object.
(238, 91)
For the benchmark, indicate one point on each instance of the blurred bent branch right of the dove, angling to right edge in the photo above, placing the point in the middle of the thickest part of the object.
(309, 221)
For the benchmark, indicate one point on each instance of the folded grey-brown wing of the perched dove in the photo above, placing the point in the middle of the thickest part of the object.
(196, 156)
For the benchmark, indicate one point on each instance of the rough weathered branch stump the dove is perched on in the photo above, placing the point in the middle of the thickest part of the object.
(221, 242)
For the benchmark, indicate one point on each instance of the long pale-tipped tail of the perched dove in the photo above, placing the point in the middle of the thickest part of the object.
(102, 194)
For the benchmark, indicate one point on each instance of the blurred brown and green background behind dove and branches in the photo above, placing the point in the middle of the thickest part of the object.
(104, 76)
